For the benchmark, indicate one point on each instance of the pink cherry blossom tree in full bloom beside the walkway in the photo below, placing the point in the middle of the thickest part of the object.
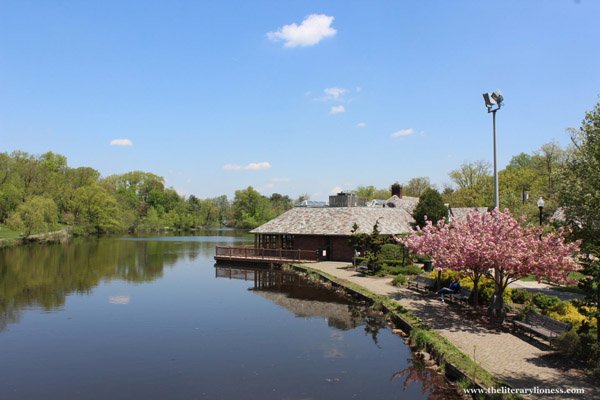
(497, 245)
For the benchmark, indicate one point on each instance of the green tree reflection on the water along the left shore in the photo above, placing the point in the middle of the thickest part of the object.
(44, 275)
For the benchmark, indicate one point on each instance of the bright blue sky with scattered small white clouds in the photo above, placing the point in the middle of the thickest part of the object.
(217, 96)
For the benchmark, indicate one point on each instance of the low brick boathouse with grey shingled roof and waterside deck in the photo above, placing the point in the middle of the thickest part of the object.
(323, 233)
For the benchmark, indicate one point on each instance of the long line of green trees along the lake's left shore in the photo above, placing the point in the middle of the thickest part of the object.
(42, 193)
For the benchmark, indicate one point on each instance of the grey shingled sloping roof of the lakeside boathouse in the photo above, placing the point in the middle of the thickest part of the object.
(338, 221)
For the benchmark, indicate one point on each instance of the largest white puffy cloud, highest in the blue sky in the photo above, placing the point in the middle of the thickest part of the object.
(311, 31)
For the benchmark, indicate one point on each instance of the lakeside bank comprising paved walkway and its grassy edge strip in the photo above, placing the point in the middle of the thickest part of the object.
(486, 356)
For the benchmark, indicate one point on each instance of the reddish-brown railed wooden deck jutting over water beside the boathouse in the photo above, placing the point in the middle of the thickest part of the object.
(258, 255)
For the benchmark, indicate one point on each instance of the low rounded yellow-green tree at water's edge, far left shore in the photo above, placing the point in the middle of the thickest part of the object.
(36, 215)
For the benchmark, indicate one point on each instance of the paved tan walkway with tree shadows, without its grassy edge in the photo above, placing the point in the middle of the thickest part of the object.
(518, 362)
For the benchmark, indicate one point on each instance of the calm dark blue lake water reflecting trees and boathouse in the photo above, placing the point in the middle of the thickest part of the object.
(153, 318)
